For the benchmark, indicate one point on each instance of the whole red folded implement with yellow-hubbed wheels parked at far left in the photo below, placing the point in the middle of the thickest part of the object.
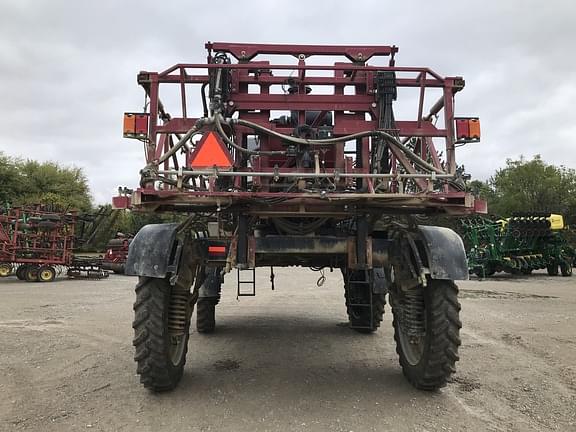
(37, 242)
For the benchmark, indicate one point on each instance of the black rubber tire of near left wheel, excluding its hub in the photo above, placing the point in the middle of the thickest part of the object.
(157, 369)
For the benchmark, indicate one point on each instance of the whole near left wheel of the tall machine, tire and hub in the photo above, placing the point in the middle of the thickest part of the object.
(161, 329)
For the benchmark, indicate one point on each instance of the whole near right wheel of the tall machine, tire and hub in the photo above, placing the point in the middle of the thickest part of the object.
(427, 332)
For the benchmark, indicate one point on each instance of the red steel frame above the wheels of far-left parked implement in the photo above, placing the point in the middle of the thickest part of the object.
(51, 247)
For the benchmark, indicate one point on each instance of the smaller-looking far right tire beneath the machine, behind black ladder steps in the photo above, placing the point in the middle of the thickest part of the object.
(361, 318)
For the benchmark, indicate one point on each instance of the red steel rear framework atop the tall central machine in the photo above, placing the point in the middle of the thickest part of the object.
(352, 113)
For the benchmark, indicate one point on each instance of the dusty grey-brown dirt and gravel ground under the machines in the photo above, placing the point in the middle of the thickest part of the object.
(285, 361)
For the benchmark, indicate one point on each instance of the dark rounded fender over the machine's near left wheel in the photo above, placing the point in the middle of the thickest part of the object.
(153, 251)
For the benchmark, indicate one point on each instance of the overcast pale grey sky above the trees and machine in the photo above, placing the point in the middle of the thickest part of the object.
(68, 68)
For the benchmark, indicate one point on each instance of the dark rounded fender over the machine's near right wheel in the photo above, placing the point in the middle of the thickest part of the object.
(446, 253)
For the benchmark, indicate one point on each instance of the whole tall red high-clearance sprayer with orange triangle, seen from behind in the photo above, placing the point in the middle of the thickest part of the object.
(296, 162)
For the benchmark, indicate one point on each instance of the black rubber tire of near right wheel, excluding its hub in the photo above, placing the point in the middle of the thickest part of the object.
(441, 340)
